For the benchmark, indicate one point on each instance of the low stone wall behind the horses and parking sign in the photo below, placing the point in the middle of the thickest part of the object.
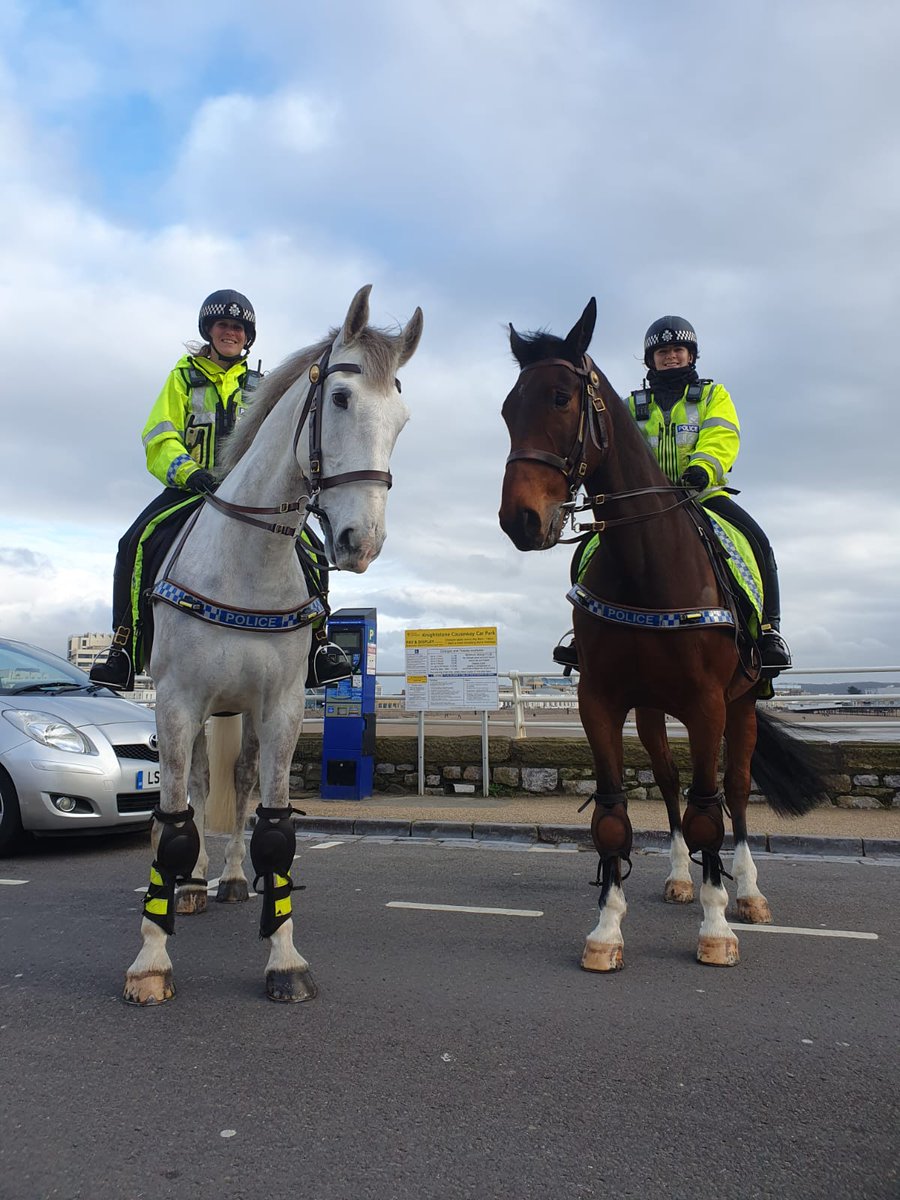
(860, 776)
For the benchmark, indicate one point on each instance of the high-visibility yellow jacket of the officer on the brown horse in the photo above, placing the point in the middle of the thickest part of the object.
(700, 430)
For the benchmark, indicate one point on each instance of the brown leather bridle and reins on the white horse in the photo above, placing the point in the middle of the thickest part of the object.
(316, 482)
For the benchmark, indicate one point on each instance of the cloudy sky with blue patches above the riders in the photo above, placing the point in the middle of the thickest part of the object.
(493, 163)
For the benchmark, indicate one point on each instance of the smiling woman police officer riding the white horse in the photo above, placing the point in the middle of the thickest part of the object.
(194, 415)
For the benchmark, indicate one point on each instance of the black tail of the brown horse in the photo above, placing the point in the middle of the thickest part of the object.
(789, 772)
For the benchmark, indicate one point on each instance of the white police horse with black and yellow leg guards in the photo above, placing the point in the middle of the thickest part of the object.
(321, 428)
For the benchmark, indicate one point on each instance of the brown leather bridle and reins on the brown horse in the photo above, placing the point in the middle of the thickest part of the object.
(592, 425)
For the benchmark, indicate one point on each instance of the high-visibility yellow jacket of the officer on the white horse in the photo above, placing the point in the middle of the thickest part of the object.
(196, 409)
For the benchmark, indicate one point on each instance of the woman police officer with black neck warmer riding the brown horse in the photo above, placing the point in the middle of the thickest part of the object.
(693, 430)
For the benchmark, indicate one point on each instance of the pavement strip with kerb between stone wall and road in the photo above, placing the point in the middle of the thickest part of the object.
(556, 819)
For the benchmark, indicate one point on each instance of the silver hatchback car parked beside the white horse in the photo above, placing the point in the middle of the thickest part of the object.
(75, 758)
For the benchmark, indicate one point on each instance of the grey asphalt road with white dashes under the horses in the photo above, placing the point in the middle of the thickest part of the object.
(449, 1054)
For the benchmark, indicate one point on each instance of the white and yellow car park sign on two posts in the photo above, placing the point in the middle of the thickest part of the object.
(449, 670)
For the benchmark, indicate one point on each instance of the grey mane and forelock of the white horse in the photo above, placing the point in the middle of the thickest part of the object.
(380, 347)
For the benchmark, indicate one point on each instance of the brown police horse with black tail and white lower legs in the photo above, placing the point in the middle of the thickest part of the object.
(656, 631)
